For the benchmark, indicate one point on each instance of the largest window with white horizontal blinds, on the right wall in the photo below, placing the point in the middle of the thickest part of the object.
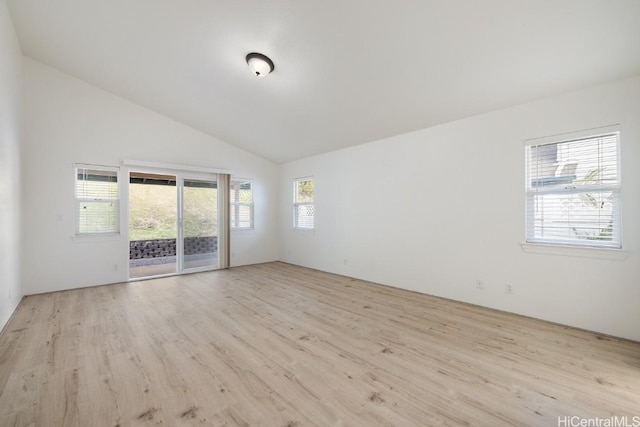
(573, 191)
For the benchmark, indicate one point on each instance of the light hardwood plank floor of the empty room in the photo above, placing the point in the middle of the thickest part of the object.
(279, 345)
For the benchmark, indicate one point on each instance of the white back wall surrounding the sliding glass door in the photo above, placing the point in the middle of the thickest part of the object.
(67, 121)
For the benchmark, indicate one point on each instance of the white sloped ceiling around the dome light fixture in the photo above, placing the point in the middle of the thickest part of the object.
(346, 71)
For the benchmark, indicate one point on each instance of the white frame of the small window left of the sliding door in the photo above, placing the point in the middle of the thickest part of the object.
(79, 201)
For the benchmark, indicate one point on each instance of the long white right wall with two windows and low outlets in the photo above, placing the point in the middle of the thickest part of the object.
(434, 210)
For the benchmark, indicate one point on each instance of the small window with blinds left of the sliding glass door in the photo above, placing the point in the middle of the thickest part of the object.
(97, 204)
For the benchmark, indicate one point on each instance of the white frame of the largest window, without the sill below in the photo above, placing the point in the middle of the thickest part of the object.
(531, 191)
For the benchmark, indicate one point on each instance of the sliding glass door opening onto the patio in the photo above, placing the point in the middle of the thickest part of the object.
(173, 223)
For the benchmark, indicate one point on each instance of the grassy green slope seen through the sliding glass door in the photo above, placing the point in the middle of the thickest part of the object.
(152, 212)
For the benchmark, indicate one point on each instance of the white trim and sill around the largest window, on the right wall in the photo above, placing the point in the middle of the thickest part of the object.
(576, 248)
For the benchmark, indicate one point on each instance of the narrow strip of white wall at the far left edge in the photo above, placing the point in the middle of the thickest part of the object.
(10, 141)
